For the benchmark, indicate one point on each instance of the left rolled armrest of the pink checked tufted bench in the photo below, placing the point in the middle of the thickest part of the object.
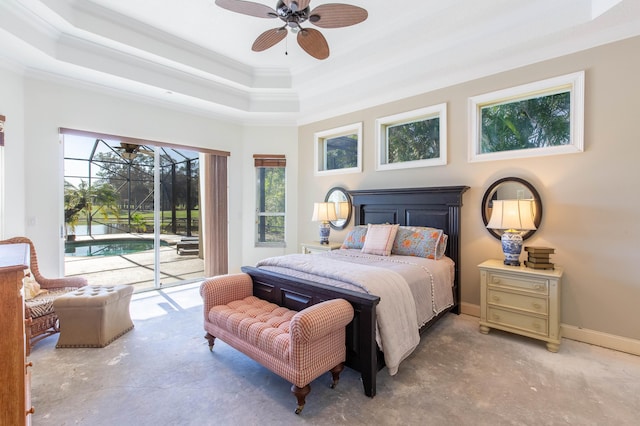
(223, 289)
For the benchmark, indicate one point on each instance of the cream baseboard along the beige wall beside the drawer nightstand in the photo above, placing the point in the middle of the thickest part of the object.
(592, 337)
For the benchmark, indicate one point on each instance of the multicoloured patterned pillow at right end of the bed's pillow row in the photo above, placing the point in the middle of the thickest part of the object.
(424, 242)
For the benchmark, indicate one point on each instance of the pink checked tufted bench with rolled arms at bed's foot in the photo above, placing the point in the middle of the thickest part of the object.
(297, 346)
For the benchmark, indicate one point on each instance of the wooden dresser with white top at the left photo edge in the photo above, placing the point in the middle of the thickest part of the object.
(15, 392)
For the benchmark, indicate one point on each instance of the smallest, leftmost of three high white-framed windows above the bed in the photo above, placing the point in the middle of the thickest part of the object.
(338, 150)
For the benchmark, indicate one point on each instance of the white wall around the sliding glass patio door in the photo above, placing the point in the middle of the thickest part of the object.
(38, 211)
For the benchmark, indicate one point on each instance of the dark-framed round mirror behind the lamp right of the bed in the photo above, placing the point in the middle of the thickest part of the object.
(511, 188)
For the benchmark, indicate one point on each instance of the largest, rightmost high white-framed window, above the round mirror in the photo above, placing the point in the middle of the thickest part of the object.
(541, 118)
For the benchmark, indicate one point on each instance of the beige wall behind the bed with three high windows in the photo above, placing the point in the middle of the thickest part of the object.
(591, 201)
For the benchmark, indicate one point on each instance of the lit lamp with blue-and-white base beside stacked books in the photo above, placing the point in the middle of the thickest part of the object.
(513, 217)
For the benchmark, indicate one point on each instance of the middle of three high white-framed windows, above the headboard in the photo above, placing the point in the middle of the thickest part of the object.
(412, 139)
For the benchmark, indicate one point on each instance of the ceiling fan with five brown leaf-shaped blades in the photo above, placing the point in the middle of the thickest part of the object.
(293, 13)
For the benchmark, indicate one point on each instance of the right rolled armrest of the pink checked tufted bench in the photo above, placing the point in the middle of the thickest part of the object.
(319, 320)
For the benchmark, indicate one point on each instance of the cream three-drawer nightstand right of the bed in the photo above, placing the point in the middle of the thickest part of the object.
(521, 300)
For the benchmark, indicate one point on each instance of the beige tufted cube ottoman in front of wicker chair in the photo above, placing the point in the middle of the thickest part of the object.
(93, 316)
